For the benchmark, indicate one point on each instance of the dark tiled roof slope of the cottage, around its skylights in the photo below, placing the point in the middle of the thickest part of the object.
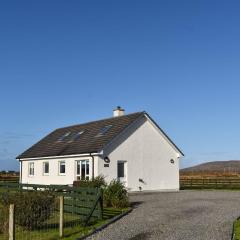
(88, 141)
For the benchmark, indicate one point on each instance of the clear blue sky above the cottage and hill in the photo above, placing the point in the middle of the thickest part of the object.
(68, 62)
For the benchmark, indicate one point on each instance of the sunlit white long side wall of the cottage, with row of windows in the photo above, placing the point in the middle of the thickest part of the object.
(53, 177)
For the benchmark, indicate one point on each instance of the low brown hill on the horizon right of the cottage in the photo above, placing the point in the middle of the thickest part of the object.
(214, 168)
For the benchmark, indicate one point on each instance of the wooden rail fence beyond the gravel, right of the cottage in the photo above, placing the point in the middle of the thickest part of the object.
(210, 183)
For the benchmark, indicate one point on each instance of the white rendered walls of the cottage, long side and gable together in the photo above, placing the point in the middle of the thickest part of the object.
(145, 149)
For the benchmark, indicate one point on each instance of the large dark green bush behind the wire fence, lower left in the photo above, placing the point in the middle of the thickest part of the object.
(32, 209)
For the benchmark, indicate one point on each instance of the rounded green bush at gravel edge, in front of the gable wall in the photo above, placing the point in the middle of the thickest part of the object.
(115, 195)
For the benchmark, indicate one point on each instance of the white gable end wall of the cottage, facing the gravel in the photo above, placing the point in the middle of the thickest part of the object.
(148, 156)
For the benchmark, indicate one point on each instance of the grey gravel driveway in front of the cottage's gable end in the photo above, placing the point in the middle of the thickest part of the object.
(185, 215)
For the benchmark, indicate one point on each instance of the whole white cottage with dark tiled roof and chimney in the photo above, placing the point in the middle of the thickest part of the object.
(131, 148)
